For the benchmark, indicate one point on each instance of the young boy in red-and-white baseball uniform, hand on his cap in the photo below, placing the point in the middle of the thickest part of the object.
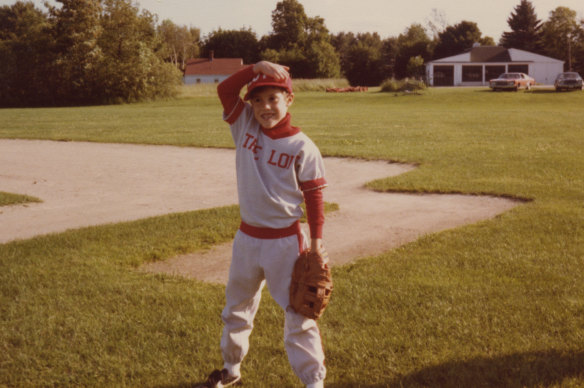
(278, 167)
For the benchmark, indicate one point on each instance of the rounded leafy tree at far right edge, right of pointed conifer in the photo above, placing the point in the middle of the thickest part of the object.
(560, 35)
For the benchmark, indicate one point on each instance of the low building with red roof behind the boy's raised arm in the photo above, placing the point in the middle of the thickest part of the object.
(210, 70)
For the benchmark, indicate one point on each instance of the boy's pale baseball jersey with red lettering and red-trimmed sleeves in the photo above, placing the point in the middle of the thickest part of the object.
(273, 168)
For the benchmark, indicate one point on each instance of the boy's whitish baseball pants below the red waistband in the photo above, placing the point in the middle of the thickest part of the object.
(255, 262)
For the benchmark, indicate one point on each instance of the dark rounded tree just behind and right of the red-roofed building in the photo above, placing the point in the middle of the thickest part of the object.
(241, 43)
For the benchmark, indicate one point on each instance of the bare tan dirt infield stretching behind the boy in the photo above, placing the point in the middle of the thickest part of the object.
(83, 184)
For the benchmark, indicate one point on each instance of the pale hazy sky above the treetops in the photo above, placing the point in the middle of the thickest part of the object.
(389, 18)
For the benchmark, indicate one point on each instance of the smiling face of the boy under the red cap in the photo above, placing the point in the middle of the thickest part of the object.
(270, 105)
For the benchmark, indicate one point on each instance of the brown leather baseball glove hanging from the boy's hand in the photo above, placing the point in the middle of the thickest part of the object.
(312, 284)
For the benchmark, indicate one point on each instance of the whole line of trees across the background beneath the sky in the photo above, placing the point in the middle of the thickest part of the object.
(108, 51)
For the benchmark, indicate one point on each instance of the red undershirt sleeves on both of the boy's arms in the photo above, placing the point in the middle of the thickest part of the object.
(228, 92)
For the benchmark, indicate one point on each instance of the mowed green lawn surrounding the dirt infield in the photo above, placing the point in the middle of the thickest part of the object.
(498, 303)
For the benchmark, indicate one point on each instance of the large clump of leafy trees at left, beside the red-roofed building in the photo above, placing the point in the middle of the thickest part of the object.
(83, 52)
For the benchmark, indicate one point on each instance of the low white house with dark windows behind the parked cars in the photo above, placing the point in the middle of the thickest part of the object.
(478, 65)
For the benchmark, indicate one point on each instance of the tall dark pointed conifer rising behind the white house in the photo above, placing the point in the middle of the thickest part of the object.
(525, 31)
